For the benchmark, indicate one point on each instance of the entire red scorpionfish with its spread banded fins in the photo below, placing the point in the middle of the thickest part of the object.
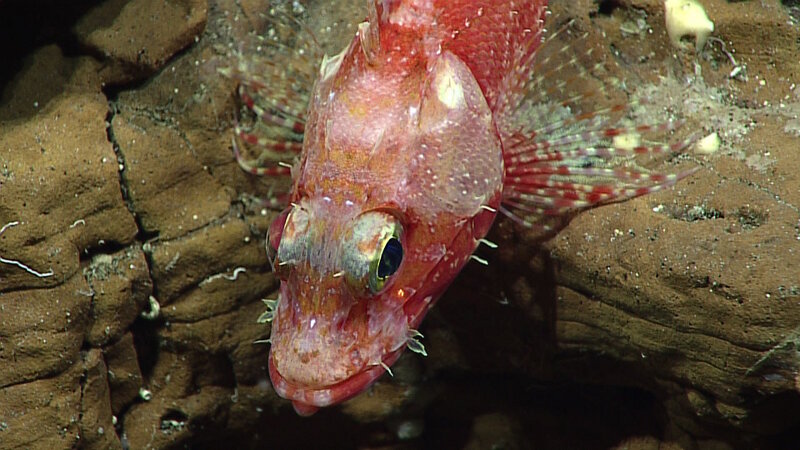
(402, 150)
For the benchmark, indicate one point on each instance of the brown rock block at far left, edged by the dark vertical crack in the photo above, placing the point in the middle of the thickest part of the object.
(60, 186)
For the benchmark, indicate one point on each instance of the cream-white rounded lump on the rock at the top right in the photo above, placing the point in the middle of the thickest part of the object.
(687, 18)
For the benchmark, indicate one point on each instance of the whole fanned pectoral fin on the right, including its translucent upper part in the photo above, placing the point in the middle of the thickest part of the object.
(568, 142)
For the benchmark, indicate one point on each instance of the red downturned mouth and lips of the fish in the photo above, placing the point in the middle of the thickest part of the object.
(307, 400)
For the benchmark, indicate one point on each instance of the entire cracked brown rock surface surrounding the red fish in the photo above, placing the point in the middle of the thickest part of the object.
(665, 322)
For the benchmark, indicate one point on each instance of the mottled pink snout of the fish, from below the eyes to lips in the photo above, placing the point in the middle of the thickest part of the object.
(328, 348)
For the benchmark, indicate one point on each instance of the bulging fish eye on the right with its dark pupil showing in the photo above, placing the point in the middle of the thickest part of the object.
(372, 251)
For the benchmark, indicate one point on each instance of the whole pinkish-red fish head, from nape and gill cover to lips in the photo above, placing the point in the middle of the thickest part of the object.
(401, 174)
